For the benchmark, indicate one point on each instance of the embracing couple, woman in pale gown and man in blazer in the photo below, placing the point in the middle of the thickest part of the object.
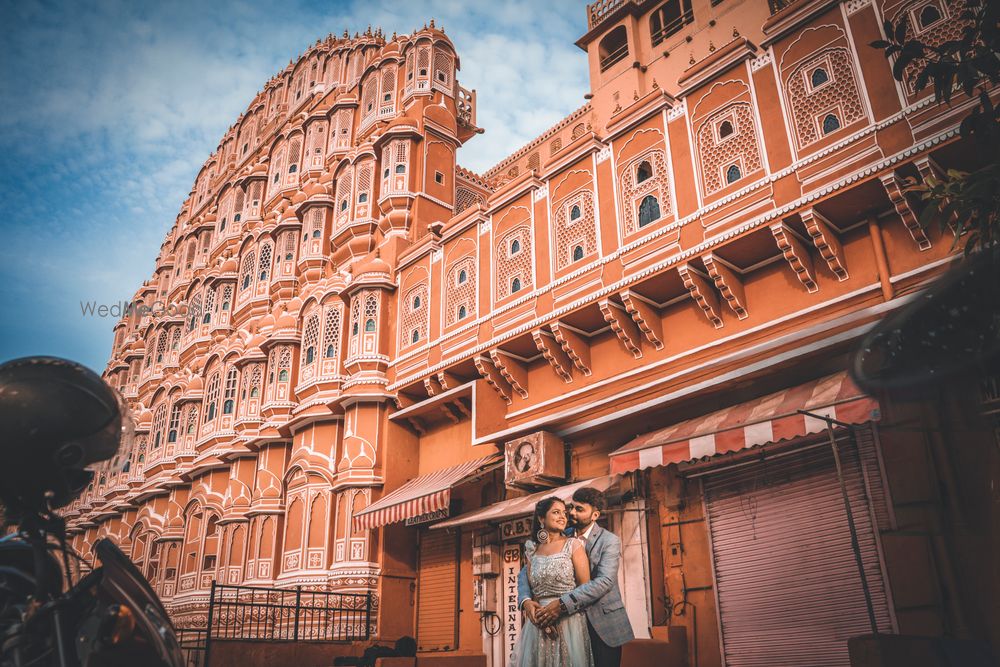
(569, 588)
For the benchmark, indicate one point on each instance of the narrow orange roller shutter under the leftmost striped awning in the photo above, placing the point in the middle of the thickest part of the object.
(437, 605)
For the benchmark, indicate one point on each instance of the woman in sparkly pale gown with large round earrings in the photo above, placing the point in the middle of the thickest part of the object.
(556, 565)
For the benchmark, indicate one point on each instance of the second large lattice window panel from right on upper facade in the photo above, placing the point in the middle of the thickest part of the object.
(824, 85)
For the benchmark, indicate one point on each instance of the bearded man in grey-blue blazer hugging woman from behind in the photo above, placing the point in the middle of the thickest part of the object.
(600, 599)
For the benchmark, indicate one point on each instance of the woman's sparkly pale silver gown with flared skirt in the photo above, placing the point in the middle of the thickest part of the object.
(569, 646)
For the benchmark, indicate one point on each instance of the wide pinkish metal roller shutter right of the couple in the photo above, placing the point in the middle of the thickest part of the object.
(787, 579)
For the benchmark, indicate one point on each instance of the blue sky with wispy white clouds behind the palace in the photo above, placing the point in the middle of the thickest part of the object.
(110, 109)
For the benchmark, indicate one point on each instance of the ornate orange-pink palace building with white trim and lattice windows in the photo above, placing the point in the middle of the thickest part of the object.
(384, 359)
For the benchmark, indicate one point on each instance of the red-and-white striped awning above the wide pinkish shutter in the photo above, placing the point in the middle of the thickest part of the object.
(769, 419)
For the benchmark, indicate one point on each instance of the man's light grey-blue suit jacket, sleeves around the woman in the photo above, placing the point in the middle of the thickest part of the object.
(600, 598)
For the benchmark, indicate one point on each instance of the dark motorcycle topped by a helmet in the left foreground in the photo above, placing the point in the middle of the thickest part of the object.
(57, 418)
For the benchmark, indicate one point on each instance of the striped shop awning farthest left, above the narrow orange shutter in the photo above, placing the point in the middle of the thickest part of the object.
(427, 493)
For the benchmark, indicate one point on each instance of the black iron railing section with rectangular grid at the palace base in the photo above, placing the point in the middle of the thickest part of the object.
(249, 613)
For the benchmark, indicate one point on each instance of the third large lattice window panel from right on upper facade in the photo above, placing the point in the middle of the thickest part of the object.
(740, 148)
